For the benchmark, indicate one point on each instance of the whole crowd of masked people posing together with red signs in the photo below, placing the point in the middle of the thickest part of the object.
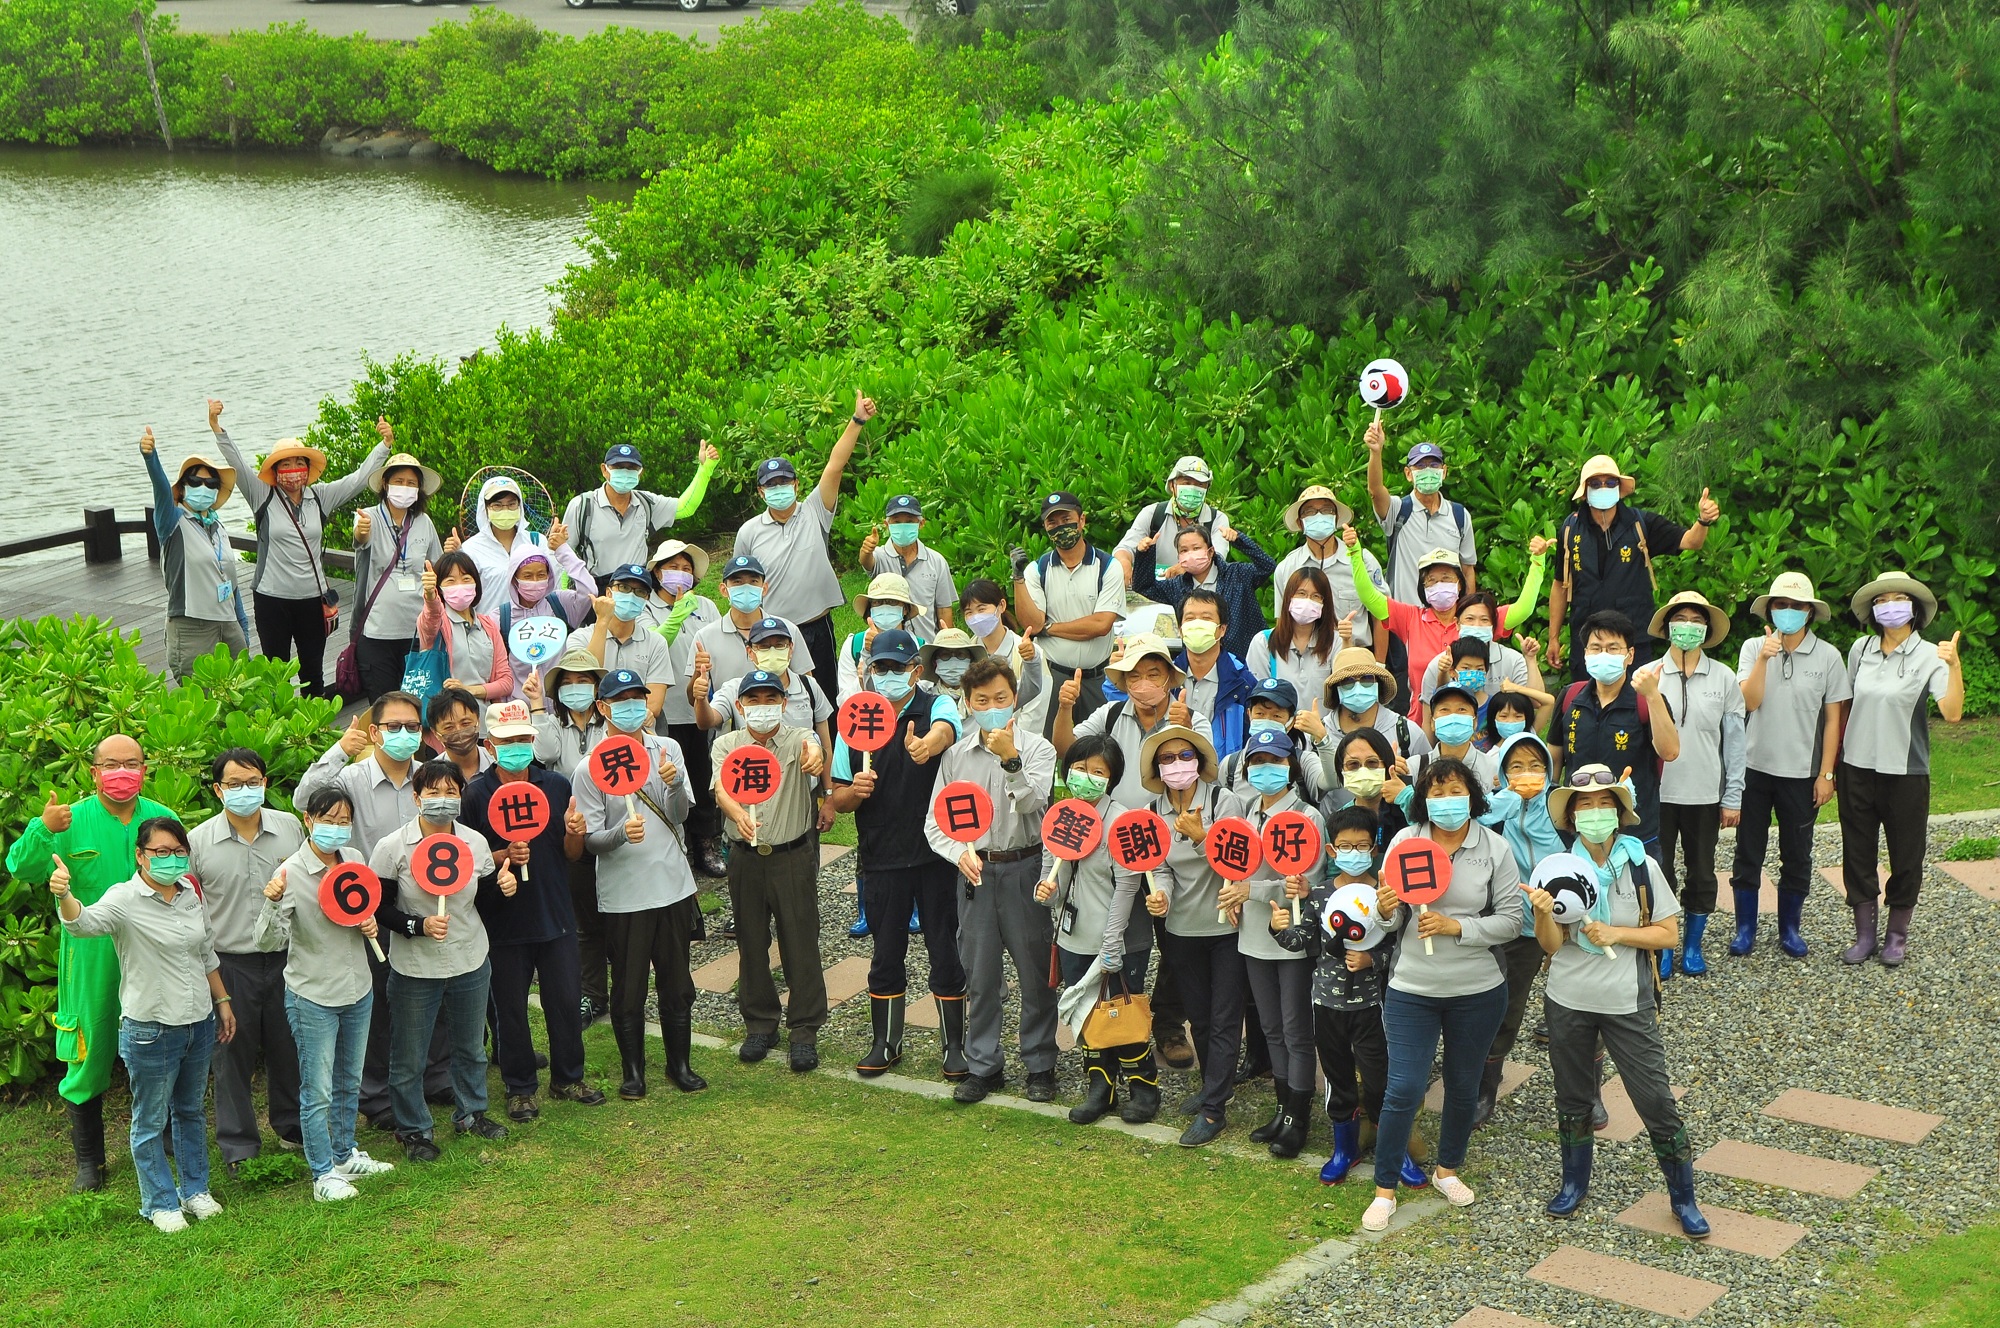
(1387, 699)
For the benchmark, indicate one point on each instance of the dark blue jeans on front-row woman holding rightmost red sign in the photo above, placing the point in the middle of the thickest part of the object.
(1413, 1027)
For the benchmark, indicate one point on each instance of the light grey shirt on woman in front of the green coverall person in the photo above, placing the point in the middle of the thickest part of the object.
(165, 951)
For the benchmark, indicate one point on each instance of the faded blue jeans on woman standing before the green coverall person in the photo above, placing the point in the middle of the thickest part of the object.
(169, 1069)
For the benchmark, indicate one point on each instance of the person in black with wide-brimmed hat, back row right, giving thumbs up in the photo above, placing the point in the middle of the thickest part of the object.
(1607, 559)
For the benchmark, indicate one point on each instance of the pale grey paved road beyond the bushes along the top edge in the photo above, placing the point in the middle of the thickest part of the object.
(411, 21)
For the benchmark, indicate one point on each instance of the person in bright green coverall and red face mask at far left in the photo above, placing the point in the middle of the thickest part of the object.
(97, 843)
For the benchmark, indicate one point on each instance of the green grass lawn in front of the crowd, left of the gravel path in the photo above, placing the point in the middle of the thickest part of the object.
(771, 1199)
